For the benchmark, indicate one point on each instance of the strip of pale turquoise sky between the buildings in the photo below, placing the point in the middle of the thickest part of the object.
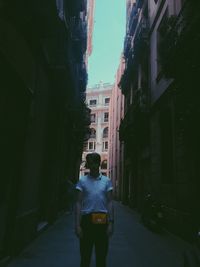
(108, 39)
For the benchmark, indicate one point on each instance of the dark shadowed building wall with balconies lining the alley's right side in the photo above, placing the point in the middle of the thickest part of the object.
(157, 162)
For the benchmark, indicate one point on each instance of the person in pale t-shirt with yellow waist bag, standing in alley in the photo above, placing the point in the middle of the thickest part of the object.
(94, 213)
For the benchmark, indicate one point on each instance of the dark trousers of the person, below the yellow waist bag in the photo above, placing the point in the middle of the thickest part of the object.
(93, 236)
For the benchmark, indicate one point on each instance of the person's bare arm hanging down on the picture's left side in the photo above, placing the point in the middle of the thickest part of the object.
(78, 229)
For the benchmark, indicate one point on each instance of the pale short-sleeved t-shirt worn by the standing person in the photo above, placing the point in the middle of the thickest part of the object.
(94, 193)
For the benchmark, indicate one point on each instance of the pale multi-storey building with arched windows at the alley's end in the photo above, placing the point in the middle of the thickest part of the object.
(98, 99)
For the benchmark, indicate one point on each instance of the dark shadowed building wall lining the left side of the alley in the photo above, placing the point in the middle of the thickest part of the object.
(42, 94)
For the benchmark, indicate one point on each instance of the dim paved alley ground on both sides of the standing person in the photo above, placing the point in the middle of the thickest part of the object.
(131, 245)
